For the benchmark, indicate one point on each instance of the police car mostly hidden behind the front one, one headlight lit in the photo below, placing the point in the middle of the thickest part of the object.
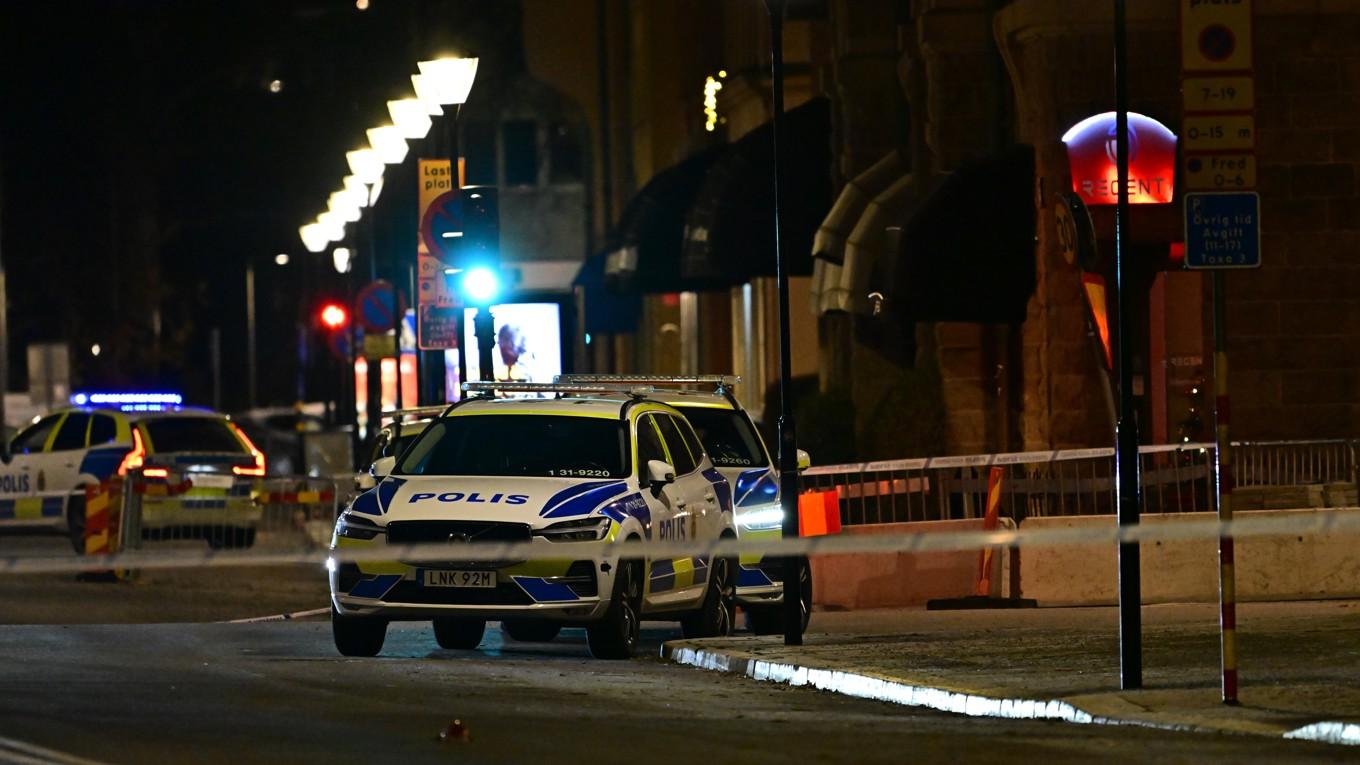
(738, 451)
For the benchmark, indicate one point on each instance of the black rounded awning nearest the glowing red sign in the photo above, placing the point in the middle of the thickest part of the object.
(968, 253)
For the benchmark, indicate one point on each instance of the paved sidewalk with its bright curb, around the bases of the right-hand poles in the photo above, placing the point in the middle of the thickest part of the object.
(1299, 665)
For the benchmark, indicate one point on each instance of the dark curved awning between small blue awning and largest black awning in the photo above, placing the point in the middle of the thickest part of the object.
(644, 250)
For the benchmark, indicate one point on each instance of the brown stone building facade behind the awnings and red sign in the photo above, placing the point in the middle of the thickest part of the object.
(921, 92)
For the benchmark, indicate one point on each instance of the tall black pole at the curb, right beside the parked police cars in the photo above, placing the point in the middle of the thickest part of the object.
(788, 440)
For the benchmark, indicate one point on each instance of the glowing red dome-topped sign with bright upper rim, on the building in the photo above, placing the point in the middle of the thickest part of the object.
(1095, 174)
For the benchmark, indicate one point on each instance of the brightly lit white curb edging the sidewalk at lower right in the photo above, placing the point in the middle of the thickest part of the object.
(959, 702)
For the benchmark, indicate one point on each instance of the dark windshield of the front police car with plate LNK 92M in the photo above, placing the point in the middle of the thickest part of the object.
(520, 444)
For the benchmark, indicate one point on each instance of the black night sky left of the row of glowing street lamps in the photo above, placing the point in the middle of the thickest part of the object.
(146, 161)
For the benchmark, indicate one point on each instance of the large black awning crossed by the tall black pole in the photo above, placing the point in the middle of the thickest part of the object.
(730, 233)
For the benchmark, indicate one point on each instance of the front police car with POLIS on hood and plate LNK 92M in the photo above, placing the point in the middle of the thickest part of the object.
(594, 465)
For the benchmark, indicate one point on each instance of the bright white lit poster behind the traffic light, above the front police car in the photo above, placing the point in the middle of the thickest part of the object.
(528, 342)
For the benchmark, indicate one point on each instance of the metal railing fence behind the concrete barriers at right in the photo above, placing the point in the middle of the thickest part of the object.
(1071, 483)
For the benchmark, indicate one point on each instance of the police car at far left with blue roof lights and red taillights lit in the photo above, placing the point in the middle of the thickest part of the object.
(194, 468)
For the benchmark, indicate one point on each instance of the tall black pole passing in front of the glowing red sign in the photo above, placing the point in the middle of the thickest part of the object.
(1127, 431)
